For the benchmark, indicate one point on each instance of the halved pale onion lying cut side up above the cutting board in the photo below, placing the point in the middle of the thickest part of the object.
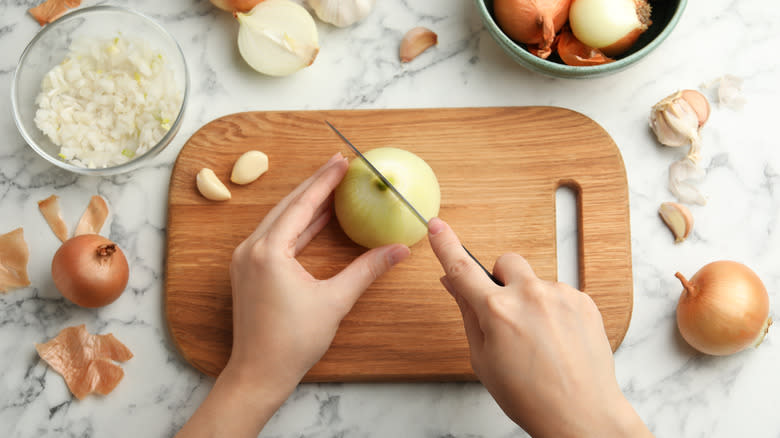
(277, 37)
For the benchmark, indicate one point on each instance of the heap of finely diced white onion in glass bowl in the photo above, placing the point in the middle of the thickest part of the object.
(108, 102)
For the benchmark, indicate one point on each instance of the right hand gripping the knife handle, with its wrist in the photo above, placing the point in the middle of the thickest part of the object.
(538, 347)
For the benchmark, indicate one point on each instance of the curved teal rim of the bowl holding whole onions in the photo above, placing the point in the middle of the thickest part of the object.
(520, 55)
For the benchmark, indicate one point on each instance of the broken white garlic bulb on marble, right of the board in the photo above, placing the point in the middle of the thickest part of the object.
(674, 121)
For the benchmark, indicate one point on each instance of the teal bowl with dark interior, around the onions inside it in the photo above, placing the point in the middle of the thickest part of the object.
(665, 16)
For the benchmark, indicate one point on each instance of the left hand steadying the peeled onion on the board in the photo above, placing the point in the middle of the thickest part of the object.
(284, 319)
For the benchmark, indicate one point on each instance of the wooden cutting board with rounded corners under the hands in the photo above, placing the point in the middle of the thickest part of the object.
(498, 168)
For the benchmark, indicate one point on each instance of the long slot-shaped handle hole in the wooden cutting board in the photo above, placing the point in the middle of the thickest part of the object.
(567, 234)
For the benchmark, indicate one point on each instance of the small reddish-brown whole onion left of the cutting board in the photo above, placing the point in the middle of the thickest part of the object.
(90, 270)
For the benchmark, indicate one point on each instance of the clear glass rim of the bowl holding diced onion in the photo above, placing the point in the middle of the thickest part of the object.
(124, 167)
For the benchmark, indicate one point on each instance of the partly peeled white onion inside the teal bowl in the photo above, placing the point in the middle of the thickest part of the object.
(611, 26)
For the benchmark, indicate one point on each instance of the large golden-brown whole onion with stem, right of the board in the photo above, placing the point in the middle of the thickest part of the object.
(723, 309)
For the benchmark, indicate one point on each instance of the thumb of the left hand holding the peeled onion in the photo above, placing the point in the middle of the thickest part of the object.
(364, 270)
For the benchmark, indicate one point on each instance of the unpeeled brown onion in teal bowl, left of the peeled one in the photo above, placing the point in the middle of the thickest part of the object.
(532, 22)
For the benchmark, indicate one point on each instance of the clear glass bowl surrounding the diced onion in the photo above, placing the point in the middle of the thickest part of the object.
(50, 46)
